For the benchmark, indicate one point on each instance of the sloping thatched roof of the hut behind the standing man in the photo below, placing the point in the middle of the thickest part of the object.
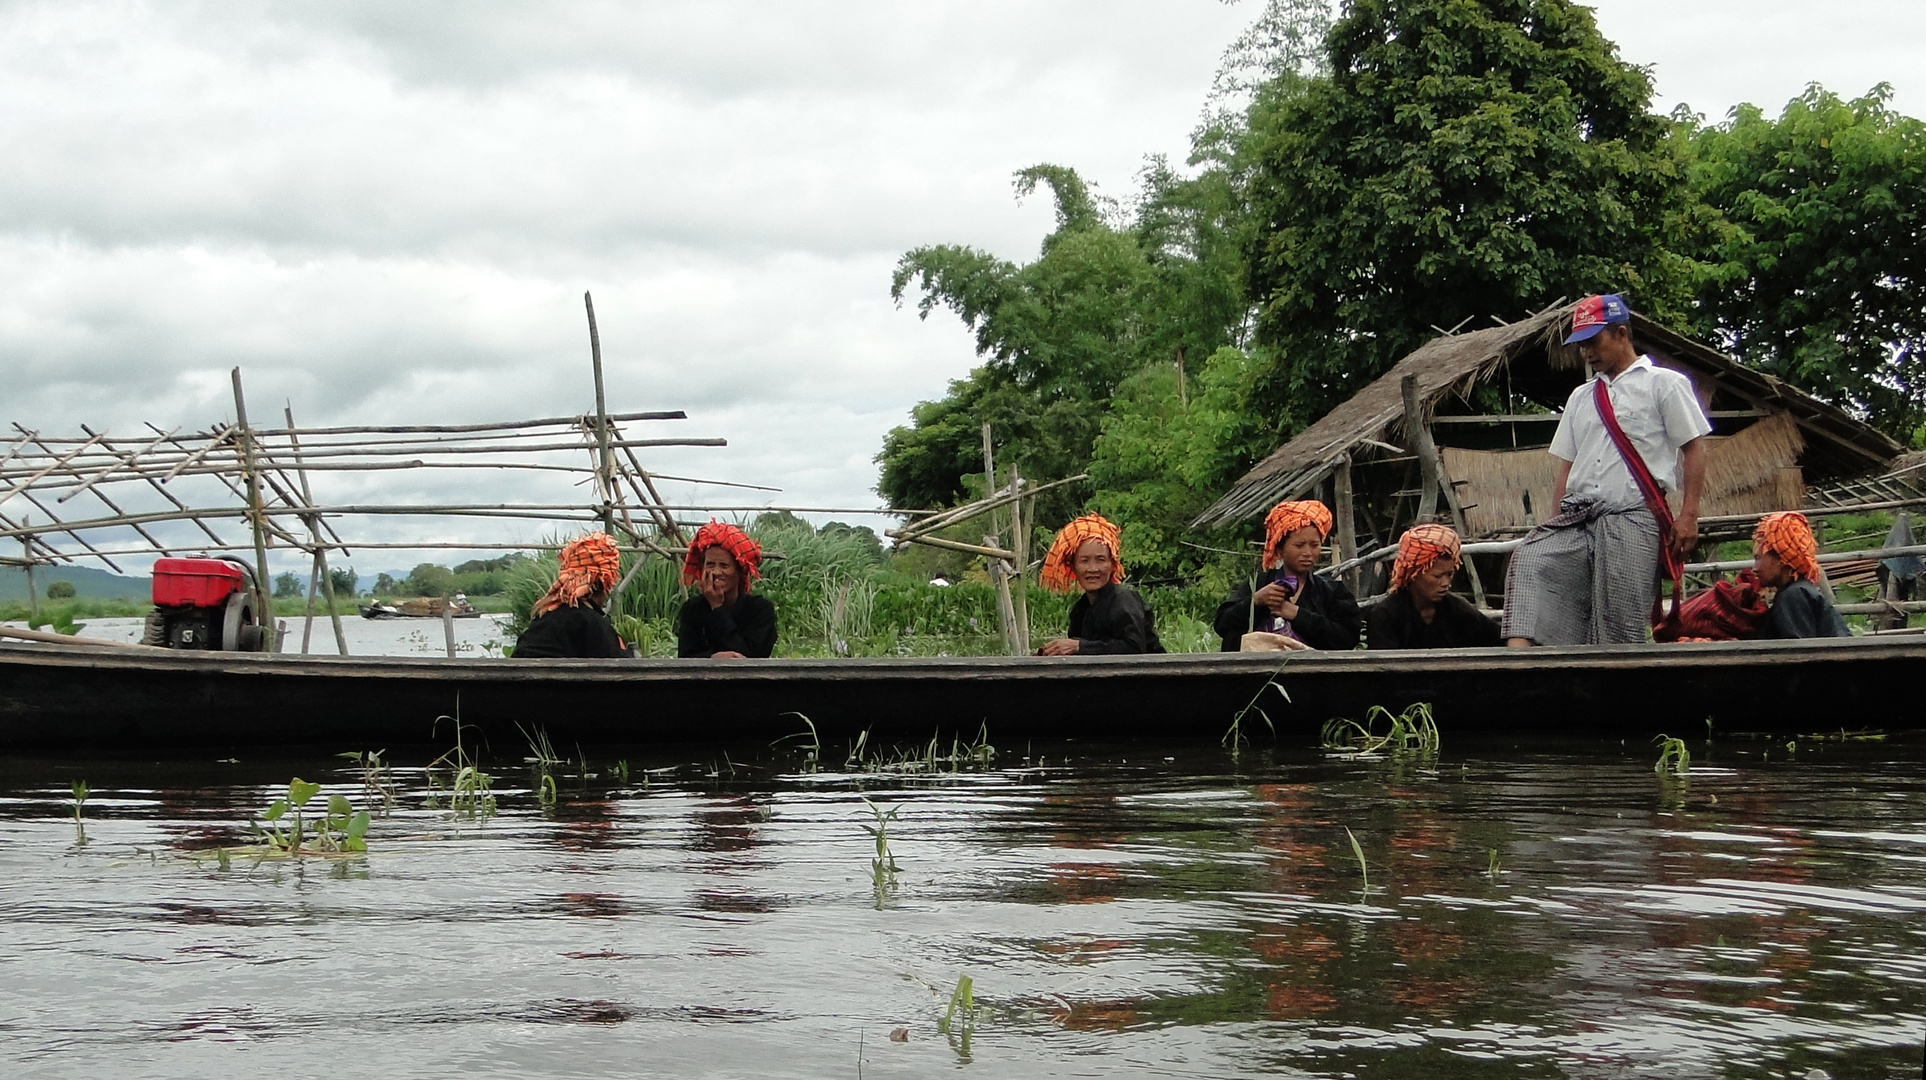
(1451, 365)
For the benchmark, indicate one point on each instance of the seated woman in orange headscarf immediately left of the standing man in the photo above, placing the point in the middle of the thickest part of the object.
(1420, 611)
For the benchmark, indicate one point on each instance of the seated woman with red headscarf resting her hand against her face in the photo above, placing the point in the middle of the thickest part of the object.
(725, 621)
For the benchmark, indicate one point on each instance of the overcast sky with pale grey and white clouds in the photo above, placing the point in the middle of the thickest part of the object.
(390, 211)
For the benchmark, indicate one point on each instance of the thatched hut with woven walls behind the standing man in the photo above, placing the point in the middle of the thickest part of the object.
(1771, 440)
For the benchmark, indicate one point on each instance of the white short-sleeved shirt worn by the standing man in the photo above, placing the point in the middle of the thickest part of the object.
(1659, 413)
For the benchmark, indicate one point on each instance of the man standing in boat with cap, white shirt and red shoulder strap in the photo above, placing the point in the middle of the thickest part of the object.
(1628, 438)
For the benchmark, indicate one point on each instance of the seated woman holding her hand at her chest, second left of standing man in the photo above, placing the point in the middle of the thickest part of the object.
(1288, 604)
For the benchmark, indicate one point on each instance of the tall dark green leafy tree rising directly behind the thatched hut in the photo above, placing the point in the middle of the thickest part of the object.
(1463, 159)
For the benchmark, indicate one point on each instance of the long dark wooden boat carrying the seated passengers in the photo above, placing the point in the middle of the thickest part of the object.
(149, 702)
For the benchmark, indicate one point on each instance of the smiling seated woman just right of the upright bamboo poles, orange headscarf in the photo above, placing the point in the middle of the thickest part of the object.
(1110, 617)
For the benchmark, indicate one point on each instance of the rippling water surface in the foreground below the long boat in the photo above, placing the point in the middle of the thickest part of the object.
(1542, 912)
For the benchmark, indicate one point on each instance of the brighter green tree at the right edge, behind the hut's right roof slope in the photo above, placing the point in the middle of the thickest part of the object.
(1813, 257)
